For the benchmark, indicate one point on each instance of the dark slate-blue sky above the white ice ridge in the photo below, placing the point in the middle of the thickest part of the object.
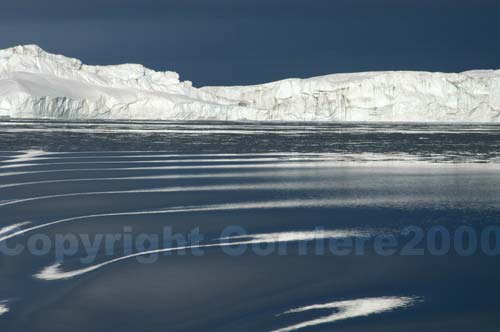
(225, 42)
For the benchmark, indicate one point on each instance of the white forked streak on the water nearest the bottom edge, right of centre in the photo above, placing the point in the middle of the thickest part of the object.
(349, 309)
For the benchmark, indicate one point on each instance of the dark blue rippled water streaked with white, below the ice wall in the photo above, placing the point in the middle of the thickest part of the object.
(309, 205)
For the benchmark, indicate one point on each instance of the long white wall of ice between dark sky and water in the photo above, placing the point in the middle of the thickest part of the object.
(38, 84)
